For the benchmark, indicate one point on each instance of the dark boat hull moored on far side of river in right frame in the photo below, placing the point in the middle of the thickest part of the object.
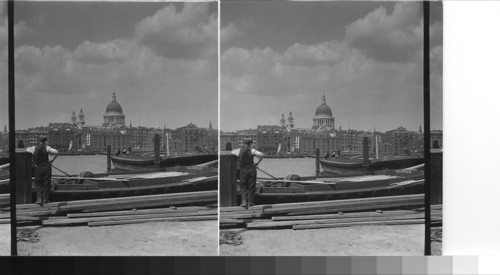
(338, 166)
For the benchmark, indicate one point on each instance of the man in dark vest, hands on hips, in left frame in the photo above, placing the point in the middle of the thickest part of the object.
(43, 168)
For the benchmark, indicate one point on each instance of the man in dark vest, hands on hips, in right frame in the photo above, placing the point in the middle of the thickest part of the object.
(248, 171)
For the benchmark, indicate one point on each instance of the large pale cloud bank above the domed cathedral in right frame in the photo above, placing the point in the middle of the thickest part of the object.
(376, 68)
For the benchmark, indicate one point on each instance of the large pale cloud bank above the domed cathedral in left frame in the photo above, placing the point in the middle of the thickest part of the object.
(51, 80)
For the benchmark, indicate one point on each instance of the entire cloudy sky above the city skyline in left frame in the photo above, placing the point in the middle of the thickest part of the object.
(160, 59)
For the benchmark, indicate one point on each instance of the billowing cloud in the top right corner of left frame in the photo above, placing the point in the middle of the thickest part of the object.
(188, 34)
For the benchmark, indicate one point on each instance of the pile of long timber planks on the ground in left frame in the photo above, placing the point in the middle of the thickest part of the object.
(193, 206)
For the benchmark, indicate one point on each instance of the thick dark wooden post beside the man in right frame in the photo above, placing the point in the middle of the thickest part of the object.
(227, 179)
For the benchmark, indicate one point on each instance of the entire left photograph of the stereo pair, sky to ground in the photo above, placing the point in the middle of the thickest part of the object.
(116, 128)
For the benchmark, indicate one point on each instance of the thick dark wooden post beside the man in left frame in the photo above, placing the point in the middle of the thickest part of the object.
(23, 177)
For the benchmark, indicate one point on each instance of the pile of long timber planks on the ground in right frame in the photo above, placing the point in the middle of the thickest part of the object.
(327, 214)
